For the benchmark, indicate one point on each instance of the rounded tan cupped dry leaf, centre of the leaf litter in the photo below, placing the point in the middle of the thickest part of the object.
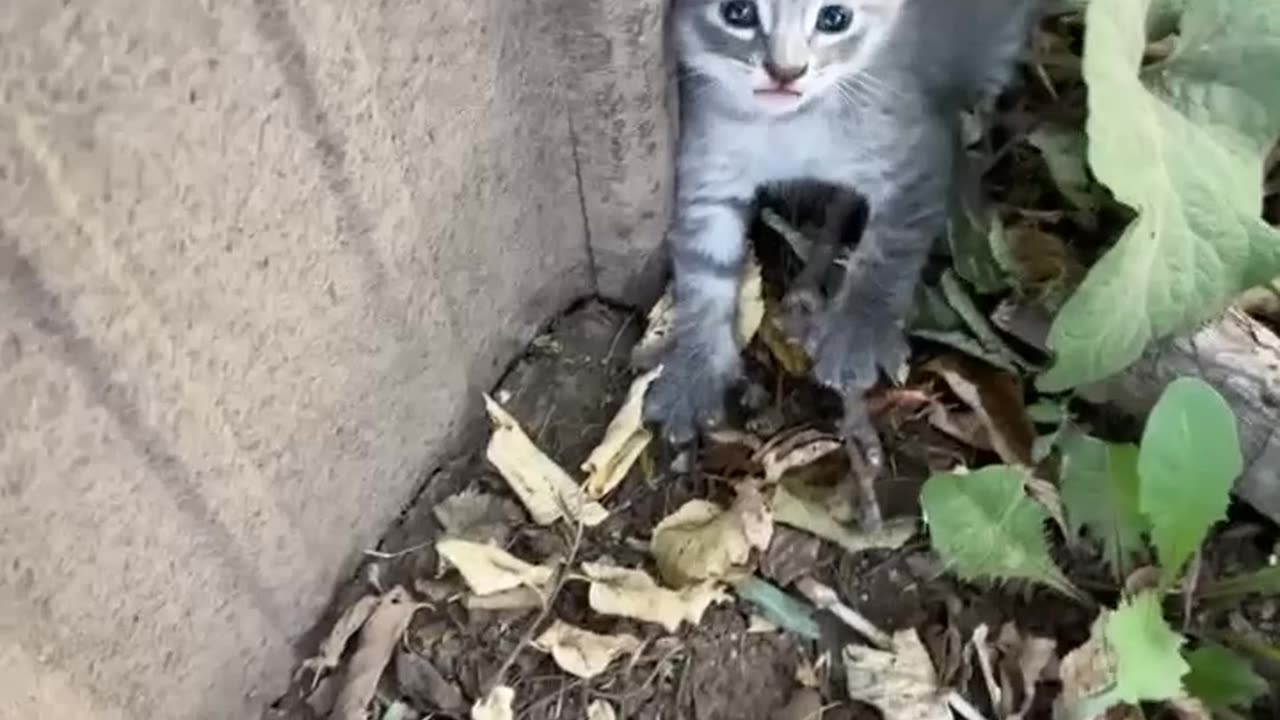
(700, 541)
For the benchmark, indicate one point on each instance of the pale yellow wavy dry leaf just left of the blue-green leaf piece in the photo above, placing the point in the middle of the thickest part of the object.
(633, 594)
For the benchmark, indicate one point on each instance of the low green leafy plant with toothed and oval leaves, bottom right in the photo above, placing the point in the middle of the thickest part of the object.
(1172, 487)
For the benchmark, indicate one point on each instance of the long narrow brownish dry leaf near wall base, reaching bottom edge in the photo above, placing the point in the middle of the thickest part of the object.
(378, 640)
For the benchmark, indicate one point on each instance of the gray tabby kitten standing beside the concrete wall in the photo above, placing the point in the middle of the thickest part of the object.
(858, 94)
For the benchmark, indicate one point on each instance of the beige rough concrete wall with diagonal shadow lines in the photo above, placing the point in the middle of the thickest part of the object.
(258, 259)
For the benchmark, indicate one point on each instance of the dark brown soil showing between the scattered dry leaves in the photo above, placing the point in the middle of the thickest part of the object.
(564, 391)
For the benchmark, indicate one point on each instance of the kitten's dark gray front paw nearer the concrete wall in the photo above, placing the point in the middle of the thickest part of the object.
(688, 397)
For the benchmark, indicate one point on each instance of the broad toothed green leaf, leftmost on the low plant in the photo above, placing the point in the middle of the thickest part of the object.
(985, 527)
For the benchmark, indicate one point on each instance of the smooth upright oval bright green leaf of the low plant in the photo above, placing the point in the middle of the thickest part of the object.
(1188, 462)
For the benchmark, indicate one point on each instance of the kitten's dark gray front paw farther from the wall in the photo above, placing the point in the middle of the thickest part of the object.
(848, 350)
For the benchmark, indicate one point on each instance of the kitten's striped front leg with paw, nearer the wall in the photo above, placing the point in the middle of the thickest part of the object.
(708, 248)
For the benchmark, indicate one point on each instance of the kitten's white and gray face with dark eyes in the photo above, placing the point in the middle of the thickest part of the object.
(772, 57)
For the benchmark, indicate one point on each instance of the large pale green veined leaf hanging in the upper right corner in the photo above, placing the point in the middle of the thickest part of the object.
(1182, 144)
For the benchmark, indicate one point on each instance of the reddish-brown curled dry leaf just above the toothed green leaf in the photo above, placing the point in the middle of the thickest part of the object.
(998, 398)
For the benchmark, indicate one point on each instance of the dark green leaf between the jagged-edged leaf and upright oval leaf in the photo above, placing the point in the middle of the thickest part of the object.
(1100, 491)
